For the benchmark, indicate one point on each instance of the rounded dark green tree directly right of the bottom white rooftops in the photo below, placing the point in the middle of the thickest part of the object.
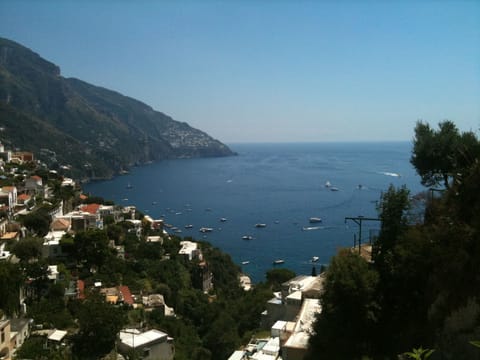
(345, 327)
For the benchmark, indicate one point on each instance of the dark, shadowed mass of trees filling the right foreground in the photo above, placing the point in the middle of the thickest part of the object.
(422, 288)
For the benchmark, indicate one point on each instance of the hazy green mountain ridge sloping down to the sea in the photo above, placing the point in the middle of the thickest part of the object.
(95, 131)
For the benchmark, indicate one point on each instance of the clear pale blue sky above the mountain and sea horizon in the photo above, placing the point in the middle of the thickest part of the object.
(276, 71)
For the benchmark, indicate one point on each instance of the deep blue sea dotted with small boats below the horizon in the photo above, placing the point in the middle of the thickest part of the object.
(279, 185)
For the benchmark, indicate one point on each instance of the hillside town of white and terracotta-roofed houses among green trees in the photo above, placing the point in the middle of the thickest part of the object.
(62, 240)
